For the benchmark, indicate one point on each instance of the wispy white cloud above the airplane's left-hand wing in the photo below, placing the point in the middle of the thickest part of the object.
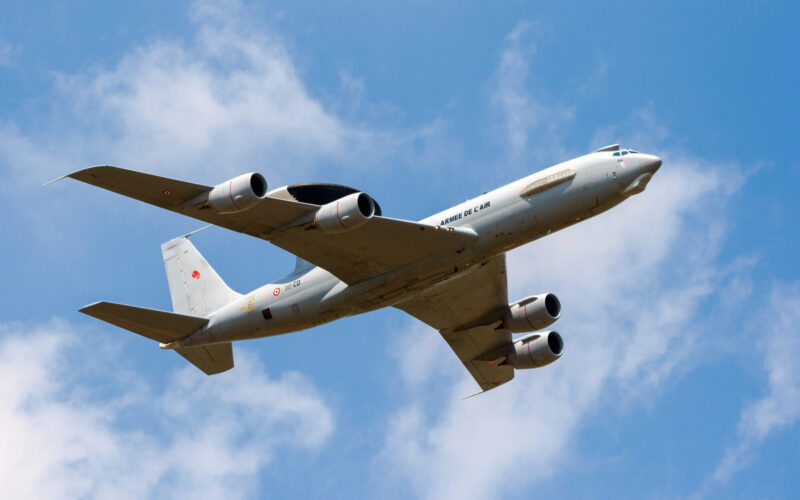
(228, 99)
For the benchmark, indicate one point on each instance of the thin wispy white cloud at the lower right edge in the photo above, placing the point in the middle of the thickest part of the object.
(780, 405)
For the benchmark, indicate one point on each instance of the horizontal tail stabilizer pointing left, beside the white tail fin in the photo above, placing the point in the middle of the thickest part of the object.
(160, 326)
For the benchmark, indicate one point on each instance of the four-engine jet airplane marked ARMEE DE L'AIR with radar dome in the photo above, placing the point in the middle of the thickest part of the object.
(447, 270)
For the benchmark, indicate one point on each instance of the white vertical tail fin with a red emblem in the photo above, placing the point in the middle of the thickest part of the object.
(194, 286)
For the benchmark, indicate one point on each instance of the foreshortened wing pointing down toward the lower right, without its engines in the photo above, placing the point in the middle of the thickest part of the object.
(467, 311)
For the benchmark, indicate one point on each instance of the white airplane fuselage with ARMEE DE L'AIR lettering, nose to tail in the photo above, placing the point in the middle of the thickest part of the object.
(502, 219)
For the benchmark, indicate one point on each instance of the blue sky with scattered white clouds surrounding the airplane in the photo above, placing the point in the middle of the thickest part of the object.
(681, 372)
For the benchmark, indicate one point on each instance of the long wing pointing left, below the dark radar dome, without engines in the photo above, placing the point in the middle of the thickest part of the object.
(379, 246)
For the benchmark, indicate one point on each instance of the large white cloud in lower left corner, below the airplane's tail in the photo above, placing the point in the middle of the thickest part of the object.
(195, 436)
